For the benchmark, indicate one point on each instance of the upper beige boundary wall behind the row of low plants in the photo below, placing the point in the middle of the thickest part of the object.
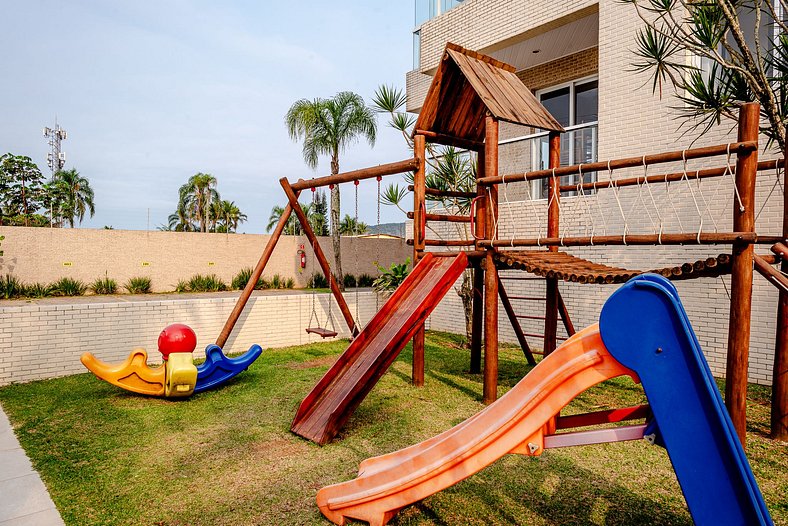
(45, 255)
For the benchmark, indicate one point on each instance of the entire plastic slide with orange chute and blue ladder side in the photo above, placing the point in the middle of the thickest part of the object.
(643, 332)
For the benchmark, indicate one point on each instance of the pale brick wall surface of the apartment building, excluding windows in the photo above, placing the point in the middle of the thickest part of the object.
(632, 122)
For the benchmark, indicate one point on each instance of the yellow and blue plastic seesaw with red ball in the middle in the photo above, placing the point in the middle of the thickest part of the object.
(178, 377)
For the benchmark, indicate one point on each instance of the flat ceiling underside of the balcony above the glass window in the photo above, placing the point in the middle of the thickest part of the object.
(556, 43)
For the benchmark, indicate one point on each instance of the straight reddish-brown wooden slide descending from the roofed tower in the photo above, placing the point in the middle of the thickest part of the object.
(326, 409)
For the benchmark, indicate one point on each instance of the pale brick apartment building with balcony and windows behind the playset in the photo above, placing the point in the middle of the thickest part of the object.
(576, 57)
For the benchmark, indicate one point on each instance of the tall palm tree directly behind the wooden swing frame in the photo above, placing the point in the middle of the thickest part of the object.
(328, 127)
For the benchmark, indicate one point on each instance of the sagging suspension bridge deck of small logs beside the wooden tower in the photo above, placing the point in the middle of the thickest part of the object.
(567, 267)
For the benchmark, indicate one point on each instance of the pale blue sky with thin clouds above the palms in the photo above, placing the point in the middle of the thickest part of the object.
(152, 92)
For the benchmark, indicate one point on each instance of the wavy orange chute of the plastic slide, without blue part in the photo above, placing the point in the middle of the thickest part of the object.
(514, 424)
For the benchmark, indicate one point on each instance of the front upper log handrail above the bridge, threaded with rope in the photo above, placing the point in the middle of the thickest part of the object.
(742, 147)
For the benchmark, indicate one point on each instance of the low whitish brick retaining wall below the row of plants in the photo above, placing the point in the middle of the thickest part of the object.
(46, 340)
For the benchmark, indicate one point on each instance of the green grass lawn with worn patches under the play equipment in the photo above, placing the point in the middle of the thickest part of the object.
(227, 456)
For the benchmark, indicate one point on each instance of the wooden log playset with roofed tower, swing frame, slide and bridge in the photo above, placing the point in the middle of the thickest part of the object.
(470, 95)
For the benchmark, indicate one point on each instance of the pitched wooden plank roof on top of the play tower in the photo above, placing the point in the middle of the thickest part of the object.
(467, 85)
